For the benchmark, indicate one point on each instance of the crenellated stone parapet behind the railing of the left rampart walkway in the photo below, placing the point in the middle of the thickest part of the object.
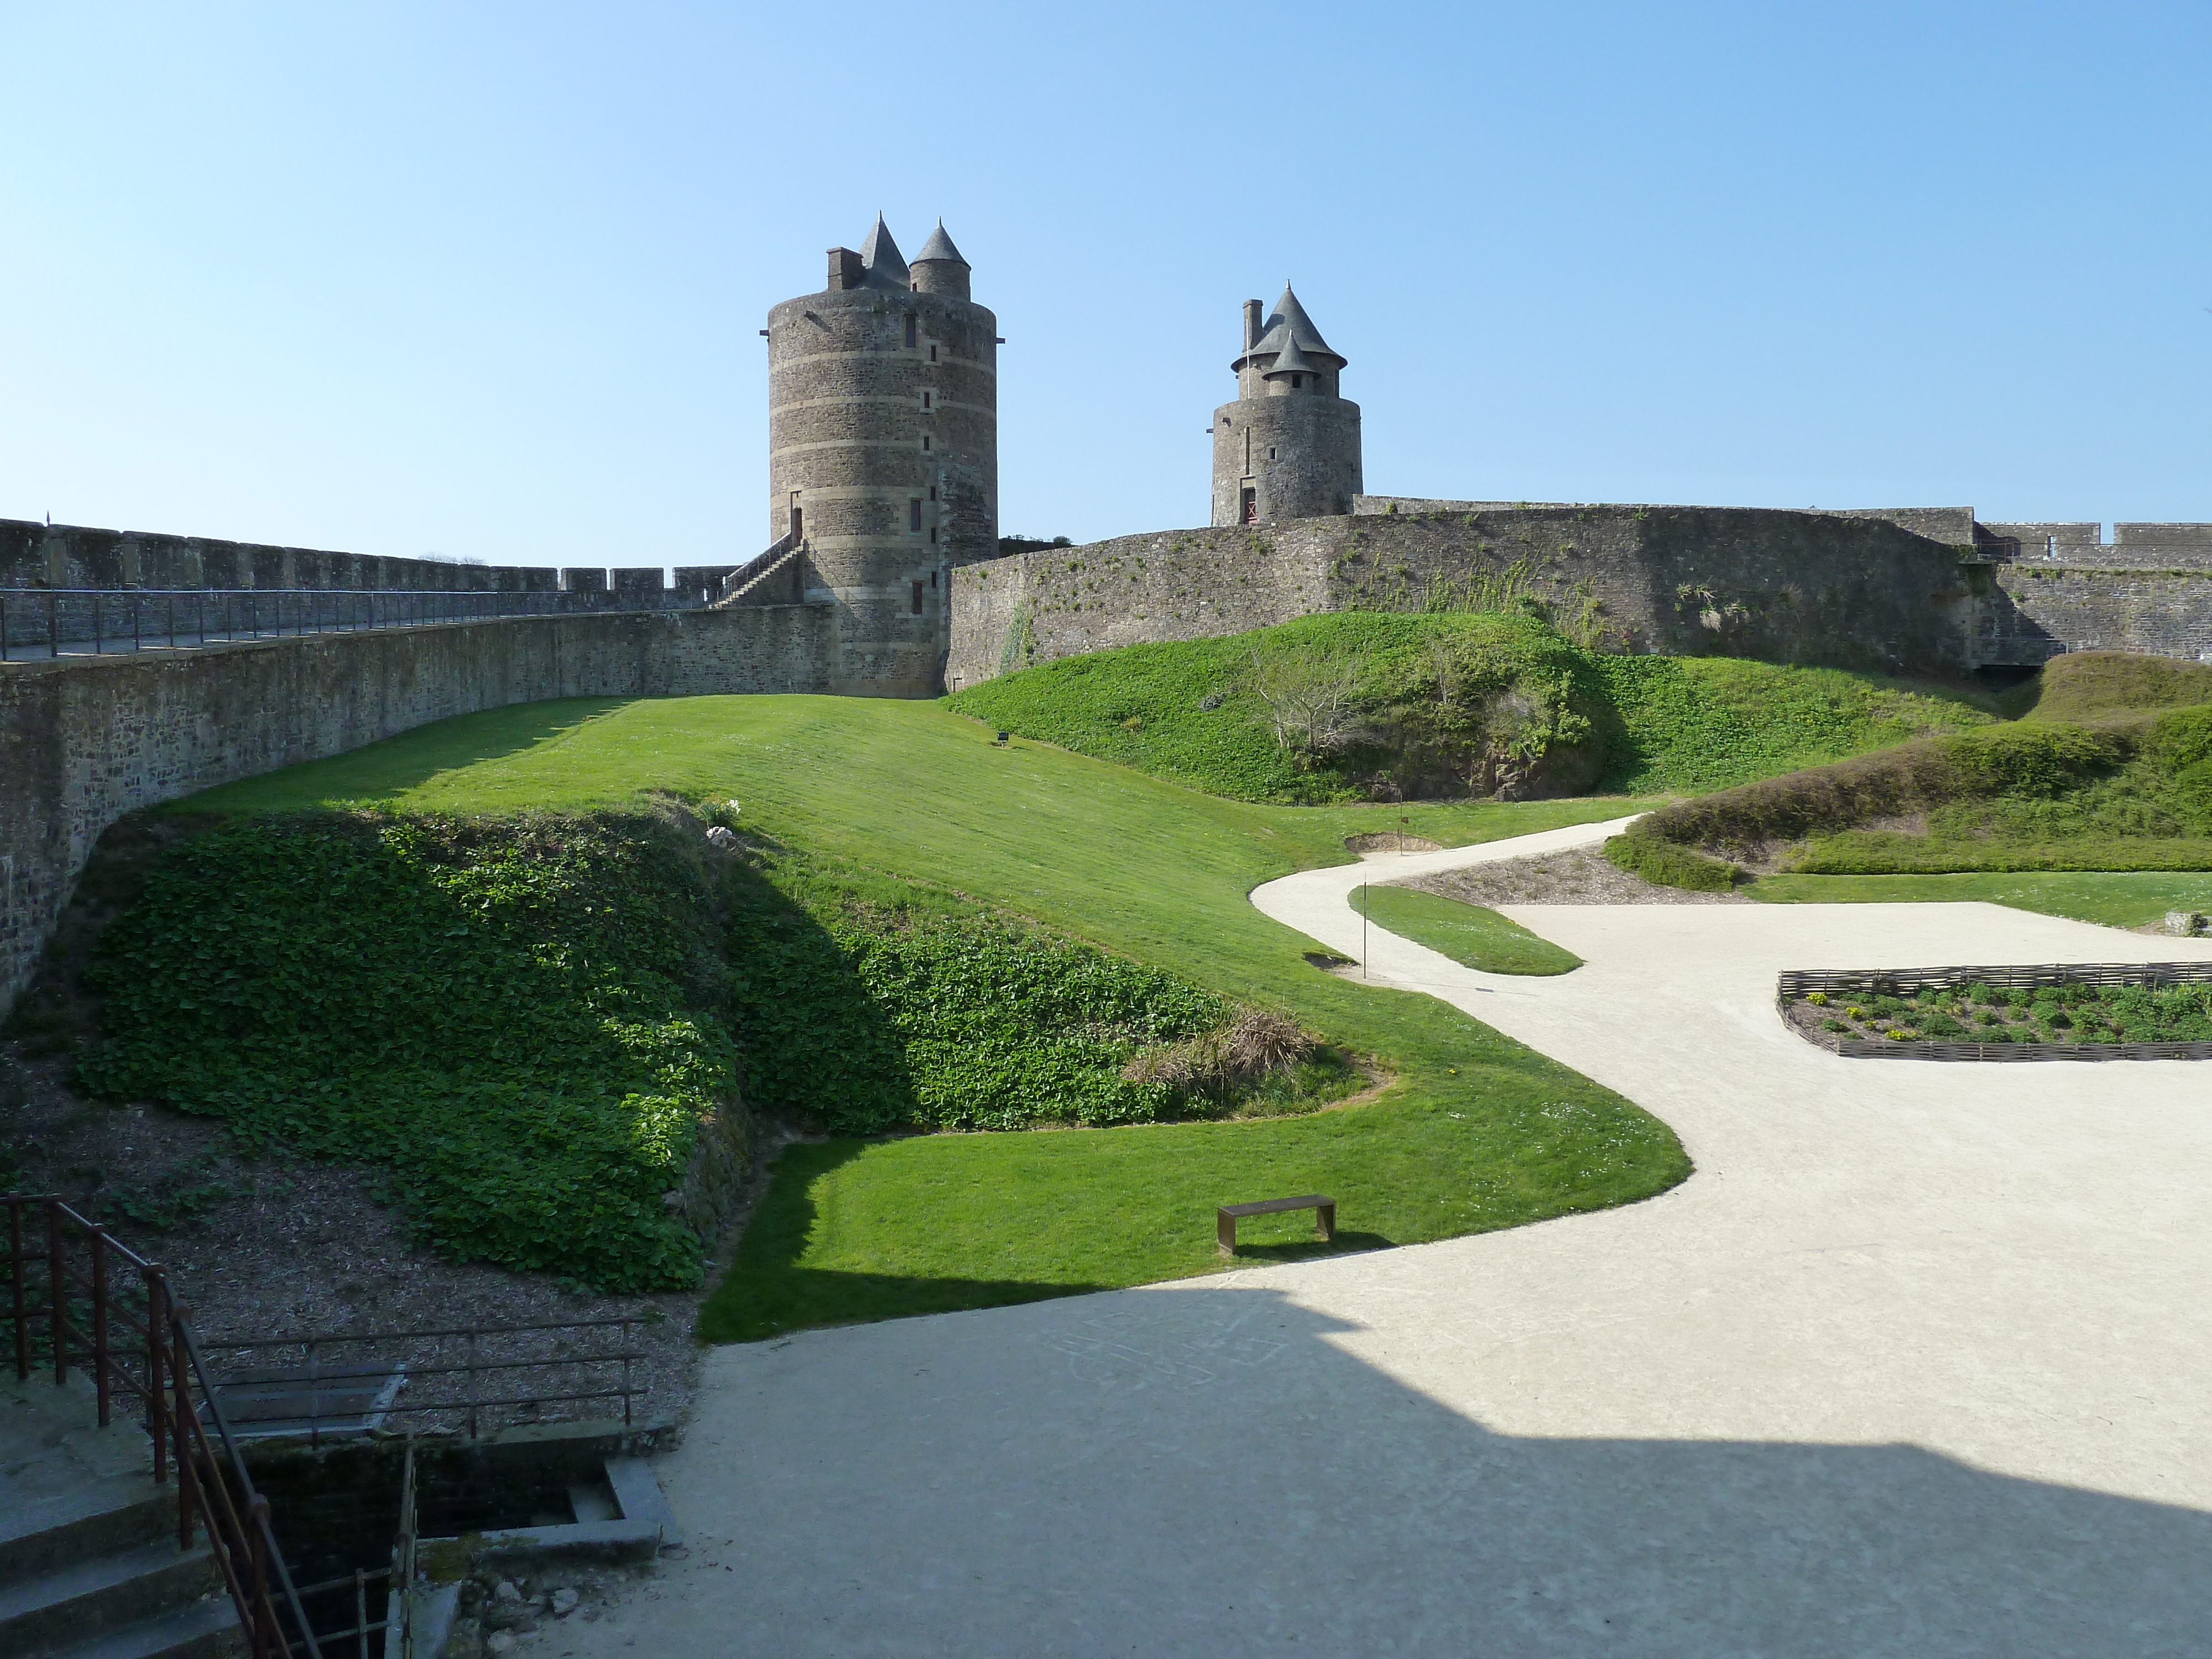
(74, 556)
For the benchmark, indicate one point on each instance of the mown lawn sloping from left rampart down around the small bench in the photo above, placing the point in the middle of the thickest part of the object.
(1479, 1131)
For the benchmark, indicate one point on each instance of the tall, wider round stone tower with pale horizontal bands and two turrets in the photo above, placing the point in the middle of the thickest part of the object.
(884, 452)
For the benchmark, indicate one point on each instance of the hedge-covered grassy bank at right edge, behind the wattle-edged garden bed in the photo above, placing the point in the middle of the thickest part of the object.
(2111, 771)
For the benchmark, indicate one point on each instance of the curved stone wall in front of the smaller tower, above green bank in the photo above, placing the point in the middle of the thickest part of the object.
(1850, 592)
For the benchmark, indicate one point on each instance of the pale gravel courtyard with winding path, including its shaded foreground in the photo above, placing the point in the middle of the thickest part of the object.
(1917, 1364)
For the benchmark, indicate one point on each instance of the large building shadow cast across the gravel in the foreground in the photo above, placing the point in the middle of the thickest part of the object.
(1207, 1470)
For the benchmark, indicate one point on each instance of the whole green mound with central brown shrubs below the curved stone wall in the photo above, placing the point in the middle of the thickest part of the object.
(1446, 705)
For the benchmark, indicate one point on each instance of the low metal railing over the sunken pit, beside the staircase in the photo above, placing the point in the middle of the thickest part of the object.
(534, 1368)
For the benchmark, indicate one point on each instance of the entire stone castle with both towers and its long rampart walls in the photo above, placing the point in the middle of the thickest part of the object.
(886, 578)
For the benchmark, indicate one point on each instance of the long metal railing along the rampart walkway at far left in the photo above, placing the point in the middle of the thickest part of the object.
(96, 623)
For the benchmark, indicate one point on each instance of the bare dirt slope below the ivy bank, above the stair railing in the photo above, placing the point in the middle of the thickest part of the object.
(280, 1246)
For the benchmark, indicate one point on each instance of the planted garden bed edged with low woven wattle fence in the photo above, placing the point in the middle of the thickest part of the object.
(2060, 1012)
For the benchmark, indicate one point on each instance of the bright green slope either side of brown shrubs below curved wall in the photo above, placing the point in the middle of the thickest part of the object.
(1669, 724)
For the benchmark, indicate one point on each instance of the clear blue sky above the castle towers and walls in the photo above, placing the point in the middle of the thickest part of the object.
(486, 280)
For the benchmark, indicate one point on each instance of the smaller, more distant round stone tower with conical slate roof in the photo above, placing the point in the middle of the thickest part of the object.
(1288, 448)
